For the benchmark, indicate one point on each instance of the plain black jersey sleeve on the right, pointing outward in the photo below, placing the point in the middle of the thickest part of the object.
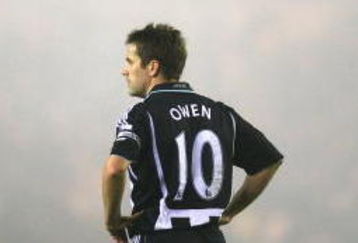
(252, 150)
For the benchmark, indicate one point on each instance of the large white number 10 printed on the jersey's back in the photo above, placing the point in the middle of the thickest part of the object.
(205, 191)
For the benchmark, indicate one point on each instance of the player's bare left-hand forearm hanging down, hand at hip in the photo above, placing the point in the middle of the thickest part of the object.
(113, 185)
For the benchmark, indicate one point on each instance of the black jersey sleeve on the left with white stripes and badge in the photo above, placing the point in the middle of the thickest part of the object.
(130, 133)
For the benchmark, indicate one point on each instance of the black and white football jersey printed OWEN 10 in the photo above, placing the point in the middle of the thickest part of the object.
(183, 147)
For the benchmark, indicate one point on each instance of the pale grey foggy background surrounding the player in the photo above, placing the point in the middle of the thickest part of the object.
(289, 67)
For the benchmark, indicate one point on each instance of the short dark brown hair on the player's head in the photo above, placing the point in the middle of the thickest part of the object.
(160, 42)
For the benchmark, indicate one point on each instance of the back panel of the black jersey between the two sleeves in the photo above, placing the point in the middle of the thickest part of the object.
(185, 158)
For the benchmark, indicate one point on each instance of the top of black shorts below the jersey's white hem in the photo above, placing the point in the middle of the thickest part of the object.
(210, 234)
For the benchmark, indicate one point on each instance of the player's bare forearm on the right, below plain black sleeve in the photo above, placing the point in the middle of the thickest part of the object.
(249, 191)
